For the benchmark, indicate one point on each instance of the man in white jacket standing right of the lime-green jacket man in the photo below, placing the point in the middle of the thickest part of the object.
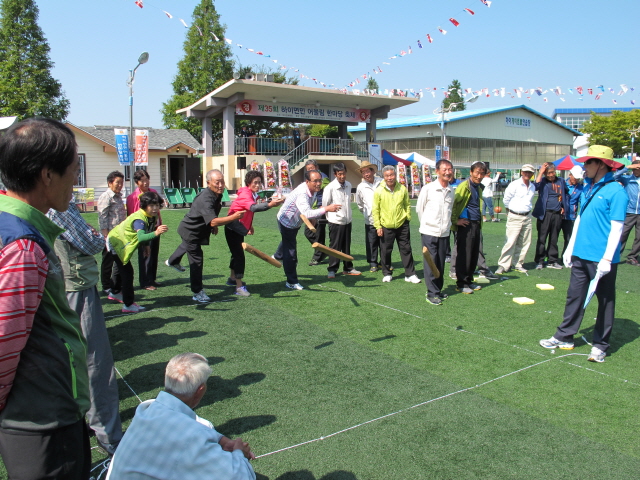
(434, 206)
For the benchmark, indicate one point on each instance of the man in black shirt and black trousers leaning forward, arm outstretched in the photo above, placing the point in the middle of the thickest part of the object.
(196, 228)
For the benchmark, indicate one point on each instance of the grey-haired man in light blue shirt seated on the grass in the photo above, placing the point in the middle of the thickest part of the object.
(167, 440)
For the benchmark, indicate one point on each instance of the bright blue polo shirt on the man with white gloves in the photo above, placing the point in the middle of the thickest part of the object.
(609, 203)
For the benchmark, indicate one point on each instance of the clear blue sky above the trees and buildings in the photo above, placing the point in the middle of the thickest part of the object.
(514, 43)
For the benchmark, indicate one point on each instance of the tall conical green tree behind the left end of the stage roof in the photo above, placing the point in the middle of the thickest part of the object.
(206, 65)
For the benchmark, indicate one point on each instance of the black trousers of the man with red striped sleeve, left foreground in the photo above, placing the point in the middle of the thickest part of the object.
(60, 454)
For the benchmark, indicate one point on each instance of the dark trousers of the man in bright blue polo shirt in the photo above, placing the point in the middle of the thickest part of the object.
(582, 272)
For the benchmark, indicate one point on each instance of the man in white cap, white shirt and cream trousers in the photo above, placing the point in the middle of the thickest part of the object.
(517, 202)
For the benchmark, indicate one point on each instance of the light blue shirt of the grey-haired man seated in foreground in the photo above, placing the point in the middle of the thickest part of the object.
(165, 442)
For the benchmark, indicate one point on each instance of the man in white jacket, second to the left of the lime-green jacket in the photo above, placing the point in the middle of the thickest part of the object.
(338, 192)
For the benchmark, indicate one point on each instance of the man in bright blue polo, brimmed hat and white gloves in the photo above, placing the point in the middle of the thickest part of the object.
(594, 253)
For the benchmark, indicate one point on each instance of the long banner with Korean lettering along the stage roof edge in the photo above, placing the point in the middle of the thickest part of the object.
(259, 108)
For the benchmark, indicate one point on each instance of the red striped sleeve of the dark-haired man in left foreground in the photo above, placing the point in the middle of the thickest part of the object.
(23, 273)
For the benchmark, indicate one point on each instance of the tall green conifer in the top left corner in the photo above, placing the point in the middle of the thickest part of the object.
(27, 88)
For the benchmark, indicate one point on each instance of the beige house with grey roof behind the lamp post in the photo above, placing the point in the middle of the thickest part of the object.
(173, 159)
